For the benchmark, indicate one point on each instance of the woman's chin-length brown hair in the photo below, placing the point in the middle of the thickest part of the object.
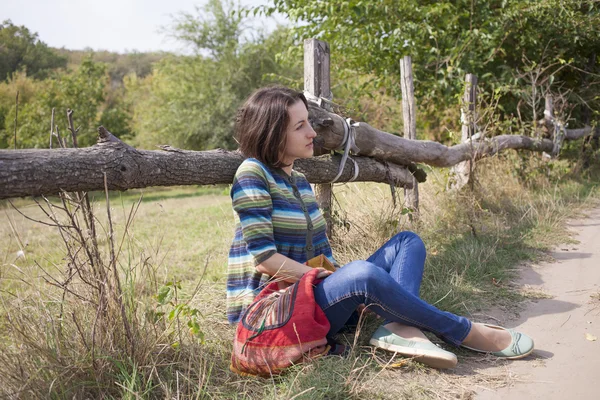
(262, 121)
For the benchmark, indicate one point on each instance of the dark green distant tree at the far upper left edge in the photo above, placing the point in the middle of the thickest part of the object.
(21, 49)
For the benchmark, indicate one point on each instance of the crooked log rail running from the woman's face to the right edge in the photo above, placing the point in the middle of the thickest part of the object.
(398, 150)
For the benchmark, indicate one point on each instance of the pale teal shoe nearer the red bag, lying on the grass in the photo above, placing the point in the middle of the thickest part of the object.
(423, 352)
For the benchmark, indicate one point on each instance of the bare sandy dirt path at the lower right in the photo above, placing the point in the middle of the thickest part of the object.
(566, 365)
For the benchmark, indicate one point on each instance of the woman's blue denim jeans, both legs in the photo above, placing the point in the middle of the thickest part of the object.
(388, 283)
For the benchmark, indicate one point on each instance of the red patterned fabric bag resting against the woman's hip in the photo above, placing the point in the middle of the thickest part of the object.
(279, 329)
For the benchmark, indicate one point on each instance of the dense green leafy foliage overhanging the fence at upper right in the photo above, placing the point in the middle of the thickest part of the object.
(498, 40)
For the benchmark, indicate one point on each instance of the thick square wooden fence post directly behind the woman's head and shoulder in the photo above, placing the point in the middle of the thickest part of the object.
(317, 83)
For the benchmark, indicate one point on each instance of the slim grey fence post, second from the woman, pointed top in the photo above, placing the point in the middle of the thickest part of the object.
(409, 112)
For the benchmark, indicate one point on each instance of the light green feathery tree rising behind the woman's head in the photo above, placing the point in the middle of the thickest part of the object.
(191, 101)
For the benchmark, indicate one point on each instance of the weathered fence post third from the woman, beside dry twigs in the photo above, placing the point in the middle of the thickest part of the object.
(462, 171)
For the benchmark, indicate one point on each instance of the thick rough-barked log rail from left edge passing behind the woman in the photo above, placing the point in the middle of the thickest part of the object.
(36, 172)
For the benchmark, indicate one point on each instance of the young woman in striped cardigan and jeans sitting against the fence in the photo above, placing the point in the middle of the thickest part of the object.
(279, 228)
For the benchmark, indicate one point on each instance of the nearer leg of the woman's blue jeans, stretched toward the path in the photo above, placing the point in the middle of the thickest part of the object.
(362, 282)
